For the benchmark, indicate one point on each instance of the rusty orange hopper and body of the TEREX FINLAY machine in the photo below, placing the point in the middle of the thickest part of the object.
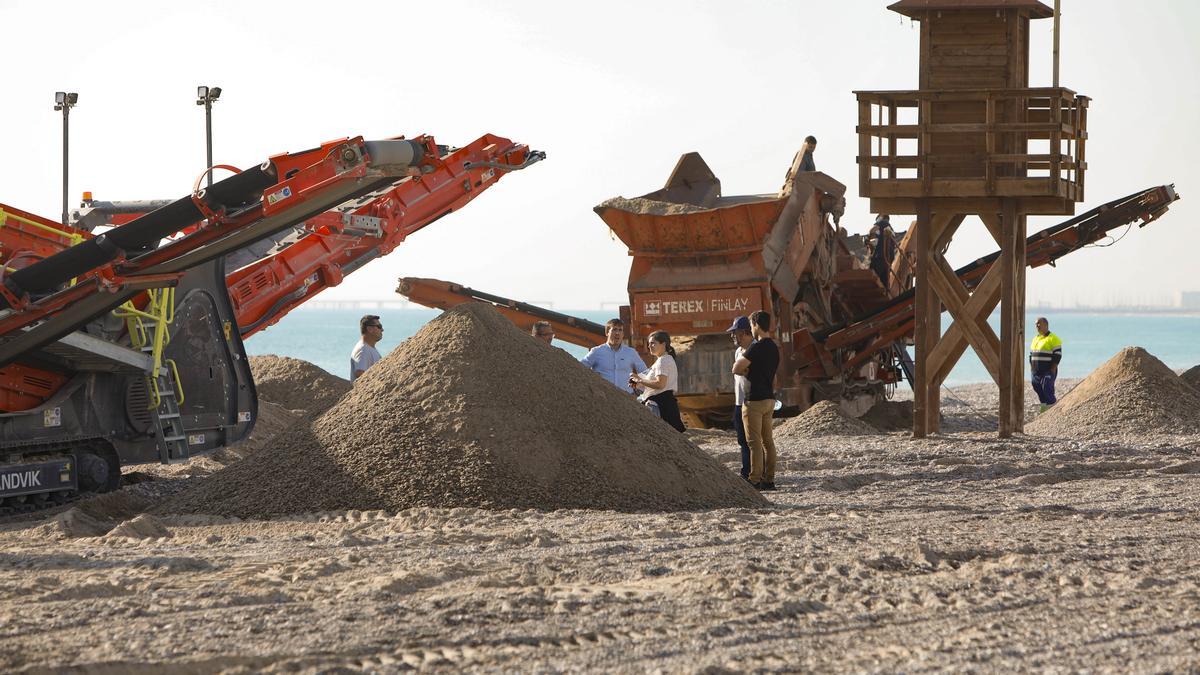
(703, 260)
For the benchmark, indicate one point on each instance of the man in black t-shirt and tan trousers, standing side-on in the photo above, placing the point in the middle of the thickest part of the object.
(759, 365)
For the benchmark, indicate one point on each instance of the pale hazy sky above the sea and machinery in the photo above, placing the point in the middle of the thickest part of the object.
(613, 92)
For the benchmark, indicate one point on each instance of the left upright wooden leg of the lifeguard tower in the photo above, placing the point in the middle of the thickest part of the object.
(925, 298)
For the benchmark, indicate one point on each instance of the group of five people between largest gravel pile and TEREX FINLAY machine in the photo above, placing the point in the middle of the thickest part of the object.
(755, 362)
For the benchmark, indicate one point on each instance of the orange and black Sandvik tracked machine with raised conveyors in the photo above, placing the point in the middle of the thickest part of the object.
(127, 347)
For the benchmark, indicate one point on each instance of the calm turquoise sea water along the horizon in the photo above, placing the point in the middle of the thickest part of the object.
(327, 337)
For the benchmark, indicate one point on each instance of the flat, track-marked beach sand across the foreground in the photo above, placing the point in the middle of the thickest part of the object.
(879, 553)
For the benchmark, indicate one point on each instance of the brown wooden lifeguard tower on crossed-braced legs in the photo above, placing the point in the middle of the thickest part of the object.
(975, 140)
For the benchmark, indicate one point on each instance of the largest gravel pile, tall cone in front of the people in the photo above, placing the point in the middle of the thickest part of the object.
(472, 413)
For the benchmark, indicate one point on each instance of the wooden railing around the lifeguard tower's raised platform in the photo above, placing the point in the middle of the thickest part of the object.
(973, 144)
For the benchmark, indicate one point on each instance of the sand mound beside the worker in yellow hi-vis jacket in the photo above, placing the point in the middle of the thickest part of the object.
(1132, 393)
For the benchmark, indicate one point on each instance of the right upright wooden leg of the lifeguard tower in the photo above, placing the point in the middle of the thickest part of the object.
(1012, 319)
